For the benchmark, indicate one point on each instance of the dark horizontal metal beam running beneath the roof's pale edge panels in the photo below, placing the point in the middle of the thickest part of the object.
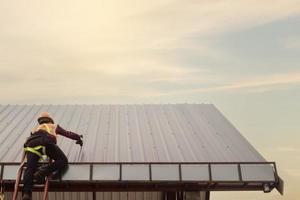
(69, 186)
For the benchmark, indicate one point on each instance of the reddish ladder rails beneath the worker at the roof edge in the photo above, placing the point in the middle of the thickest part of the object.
(18, 179)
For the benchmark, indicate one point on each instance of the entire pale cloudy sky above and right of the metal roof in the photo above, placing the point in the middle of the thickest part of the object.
(241, 55)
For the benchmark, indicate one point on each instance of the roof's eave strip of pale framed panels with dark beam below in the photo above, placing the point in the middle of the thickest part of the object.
(154, 176)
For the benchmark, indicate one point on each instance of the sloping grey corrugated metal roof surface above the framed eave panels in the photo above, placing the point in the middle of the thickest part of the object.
(132, 133)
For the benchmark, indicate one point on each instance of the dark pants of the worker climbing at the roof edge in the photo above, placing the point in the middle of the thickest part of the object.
(59, 165)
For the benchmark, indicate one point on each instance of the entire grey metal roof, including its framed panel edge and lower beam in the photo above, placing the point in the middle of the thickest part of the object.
(141, 148)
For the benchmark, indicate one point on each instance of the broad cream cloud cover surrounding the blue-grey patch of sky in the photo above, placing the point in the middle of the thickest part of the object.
(114, 47)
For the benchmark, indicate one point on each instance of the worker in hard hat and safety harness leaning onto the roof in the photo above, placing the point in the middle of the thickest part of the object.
(42, 142)
